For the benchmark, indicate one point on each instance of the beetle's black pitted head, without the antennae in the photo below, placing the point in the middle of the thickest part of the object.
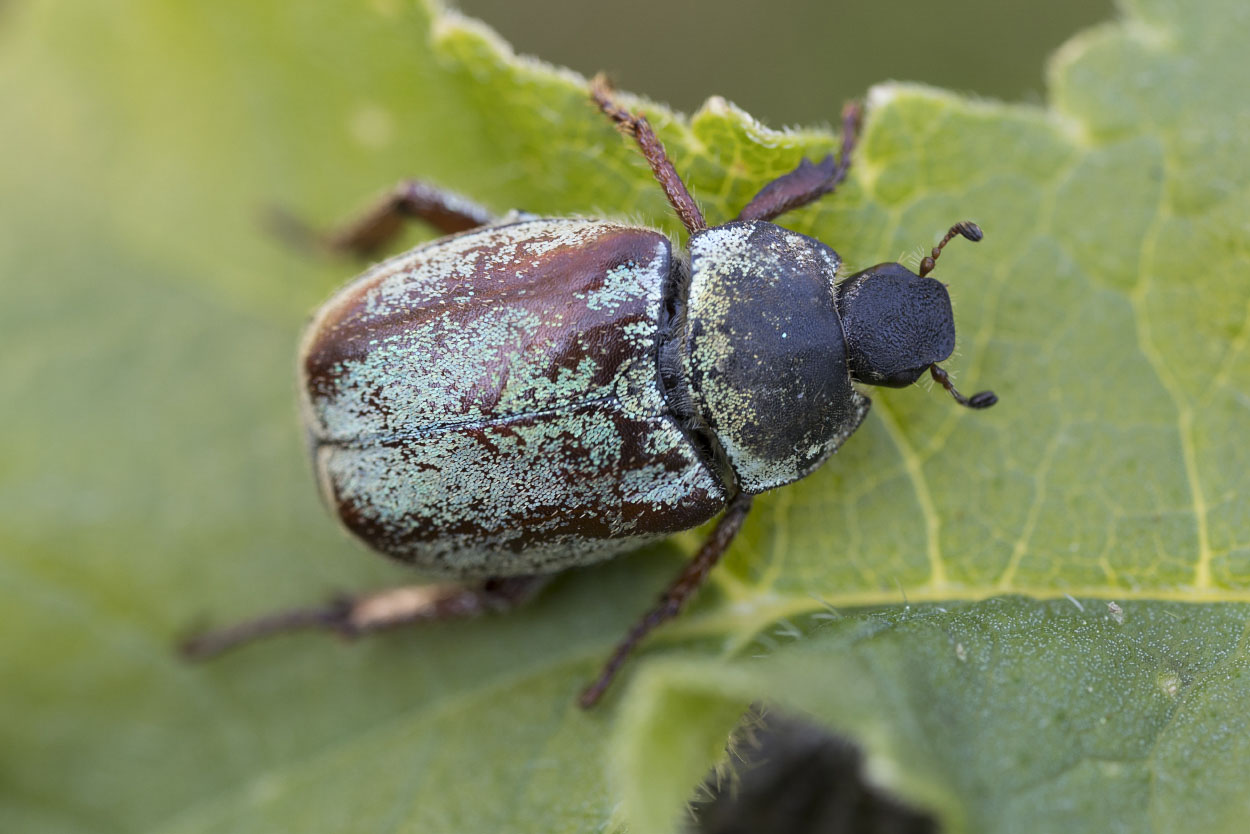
(897, 324)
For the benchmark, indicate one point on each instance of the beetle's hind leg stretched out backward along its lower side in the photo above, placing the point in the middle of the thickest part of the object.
(356, 616)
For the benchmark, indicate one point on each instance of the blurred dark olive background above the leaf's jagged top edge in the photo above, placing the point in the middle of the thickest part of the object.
(753, 53)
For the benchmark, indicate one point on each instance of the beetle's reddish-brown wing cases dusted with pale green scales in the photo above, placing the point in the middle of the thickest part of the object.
(489, 404)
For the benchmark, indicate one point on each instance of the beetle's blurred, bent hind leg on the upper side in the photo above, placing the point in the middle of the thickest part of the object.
(444, 211)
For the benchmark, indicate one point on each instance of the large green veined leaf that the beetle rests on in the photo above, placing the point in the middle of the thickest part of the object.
(153, 477)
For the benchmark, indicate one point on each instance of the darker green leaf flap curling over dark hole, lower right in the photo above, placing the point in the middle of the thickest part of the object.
(1004, 716)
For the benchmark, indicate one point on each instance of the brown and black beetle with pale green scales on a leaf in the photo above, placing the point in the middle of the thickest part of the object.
(533, 394)
